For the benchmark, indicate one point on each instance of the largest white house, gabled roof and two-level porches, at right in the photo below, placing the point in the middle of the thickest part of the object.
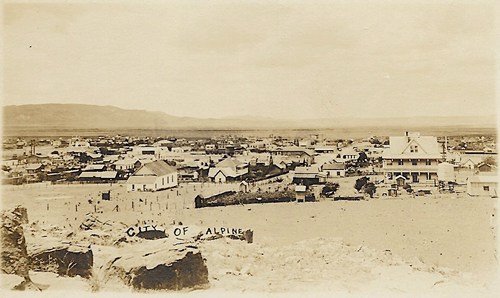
(411, 159)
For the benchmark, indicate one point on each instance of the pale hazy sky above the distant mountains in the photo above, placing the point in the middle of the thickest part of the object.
(283, 59)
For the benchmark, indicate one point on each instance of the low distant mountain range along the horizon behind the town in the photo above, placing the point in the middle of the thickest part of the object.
(81, 116)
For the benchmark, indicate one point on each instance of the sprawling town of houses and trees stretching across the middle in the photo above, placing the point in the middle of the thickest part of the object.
(151, 164)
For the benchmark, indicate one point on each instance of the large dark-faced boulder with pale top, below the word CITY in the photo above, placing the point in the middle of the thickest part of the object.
(160, 265)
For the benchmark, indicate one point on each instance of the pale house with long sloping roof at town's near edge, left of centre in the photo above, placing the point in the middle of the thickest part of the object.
(153, 176)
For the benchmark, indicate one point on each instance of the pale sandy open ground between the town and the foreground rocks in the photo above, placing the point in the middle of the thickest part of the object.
(441, 245)
